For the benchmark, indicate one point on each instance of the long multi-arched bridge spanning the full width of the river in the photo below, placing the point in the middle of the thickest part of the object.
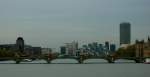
(79, 59)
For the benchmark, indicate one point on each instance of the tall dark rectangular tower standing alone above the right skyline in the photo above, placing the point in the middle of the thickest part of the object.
(125, 33)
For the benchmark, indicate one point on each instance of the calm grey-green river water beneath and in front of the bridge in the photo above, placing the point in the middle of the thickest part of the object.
(69, 68)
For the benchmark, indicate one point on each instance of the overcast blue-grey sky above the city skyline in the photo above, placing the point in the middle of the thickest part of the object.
(51, 23)
